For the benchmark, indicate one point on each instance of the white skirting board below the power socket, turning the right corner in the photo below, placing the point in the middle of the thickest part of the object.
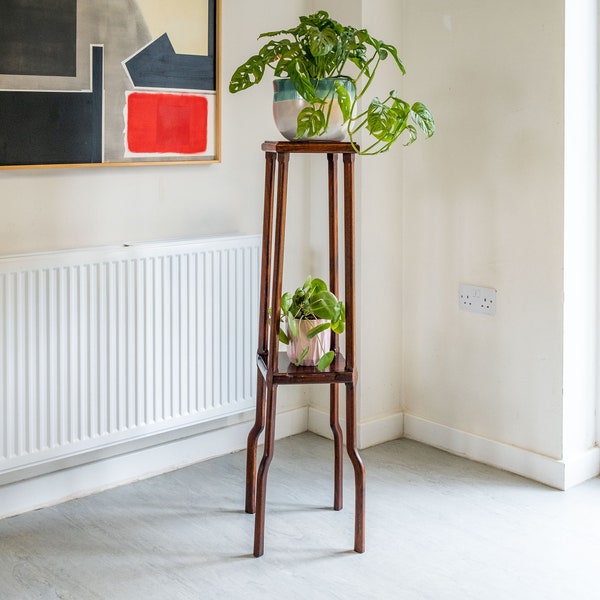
(559, 474)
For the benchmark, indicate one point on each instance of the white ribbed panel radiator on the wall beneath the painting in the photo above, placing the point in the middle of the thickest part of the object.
(108, 345)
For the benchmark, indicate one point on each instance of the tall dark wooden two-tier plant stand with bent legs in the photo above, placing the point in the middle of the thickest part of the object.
(274, 368)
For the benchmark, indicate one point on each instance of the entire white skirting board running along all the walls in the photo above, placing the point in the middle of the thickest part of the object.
(105, 473)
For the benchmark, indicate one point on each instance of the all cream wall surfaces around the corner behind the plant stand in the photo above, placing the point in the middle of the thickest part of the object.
(481, 203)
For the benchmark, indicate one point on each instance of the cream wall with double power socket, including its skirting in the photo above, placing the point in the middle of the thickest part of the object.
(483, 204)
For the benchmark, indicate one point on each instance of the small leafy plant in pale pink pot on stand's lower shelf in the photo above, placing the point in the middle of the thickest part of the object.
(310, 314)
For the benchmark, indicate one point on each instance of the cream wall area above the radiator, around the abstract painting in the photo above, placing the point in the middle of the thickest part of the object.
(61, 208)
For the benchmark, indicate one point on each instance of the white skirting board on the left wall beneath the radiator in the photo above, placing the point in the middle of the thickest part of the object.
(77, 481)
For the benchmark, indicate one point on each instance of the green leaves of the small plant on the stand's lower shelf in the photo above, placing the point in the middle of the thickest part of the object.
(312, 301)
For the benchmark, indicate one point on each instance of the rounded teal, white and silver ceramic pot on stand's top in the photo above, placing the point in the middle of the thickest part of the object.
(287, 104)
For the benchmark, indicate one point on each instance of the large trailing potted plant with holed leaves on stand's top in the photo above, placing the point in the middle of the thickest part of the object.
(323, 70)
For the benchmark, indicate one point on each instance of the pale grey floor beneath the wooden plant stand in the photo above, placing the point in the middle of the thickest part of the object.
(438, 527)
